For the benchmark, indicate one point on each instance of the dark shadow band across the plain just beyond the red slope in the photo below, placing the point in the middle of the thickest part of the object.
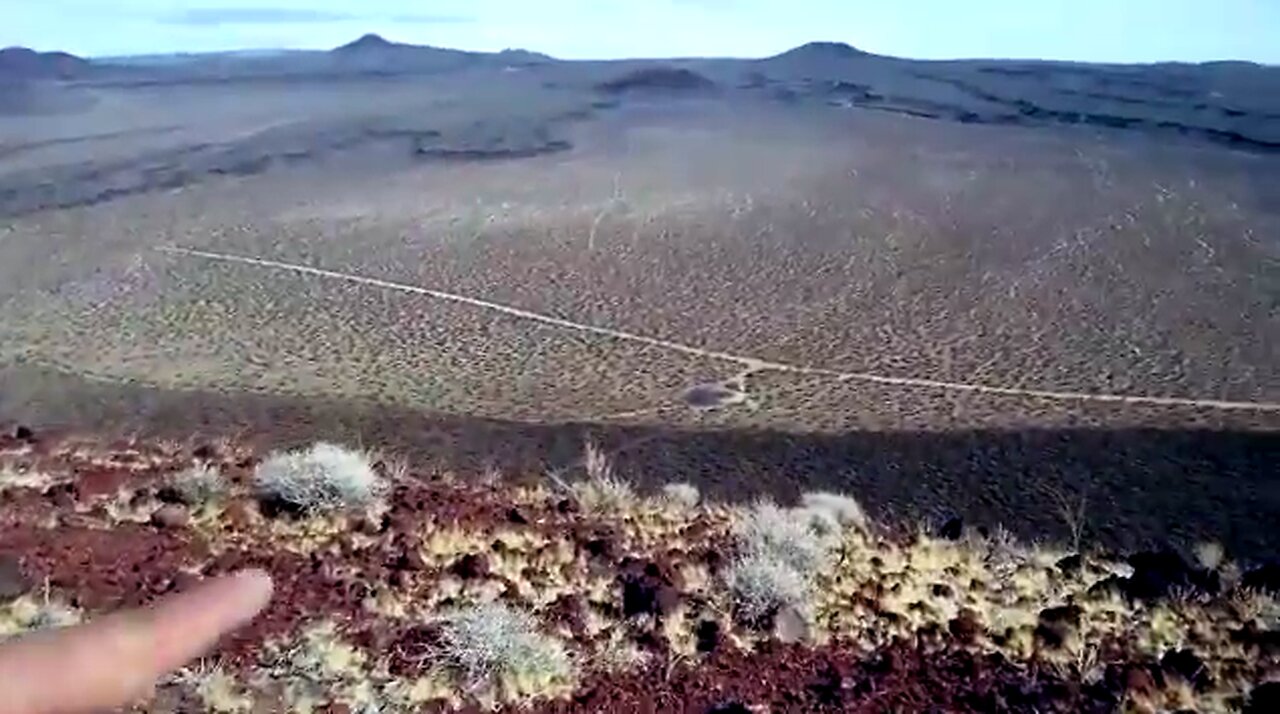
(1140, 487)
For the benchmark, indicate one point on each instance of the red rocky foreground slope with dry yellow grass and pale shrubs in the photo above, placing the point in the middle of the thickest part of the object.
(403, 592)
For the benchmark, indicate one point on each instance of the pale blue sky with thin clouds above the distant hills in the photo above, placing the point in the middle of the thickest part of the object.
(1072, 30)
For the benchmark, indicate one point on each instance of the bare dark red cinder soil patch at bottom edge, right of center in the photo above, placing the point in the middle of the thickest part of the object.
(902, 678)
